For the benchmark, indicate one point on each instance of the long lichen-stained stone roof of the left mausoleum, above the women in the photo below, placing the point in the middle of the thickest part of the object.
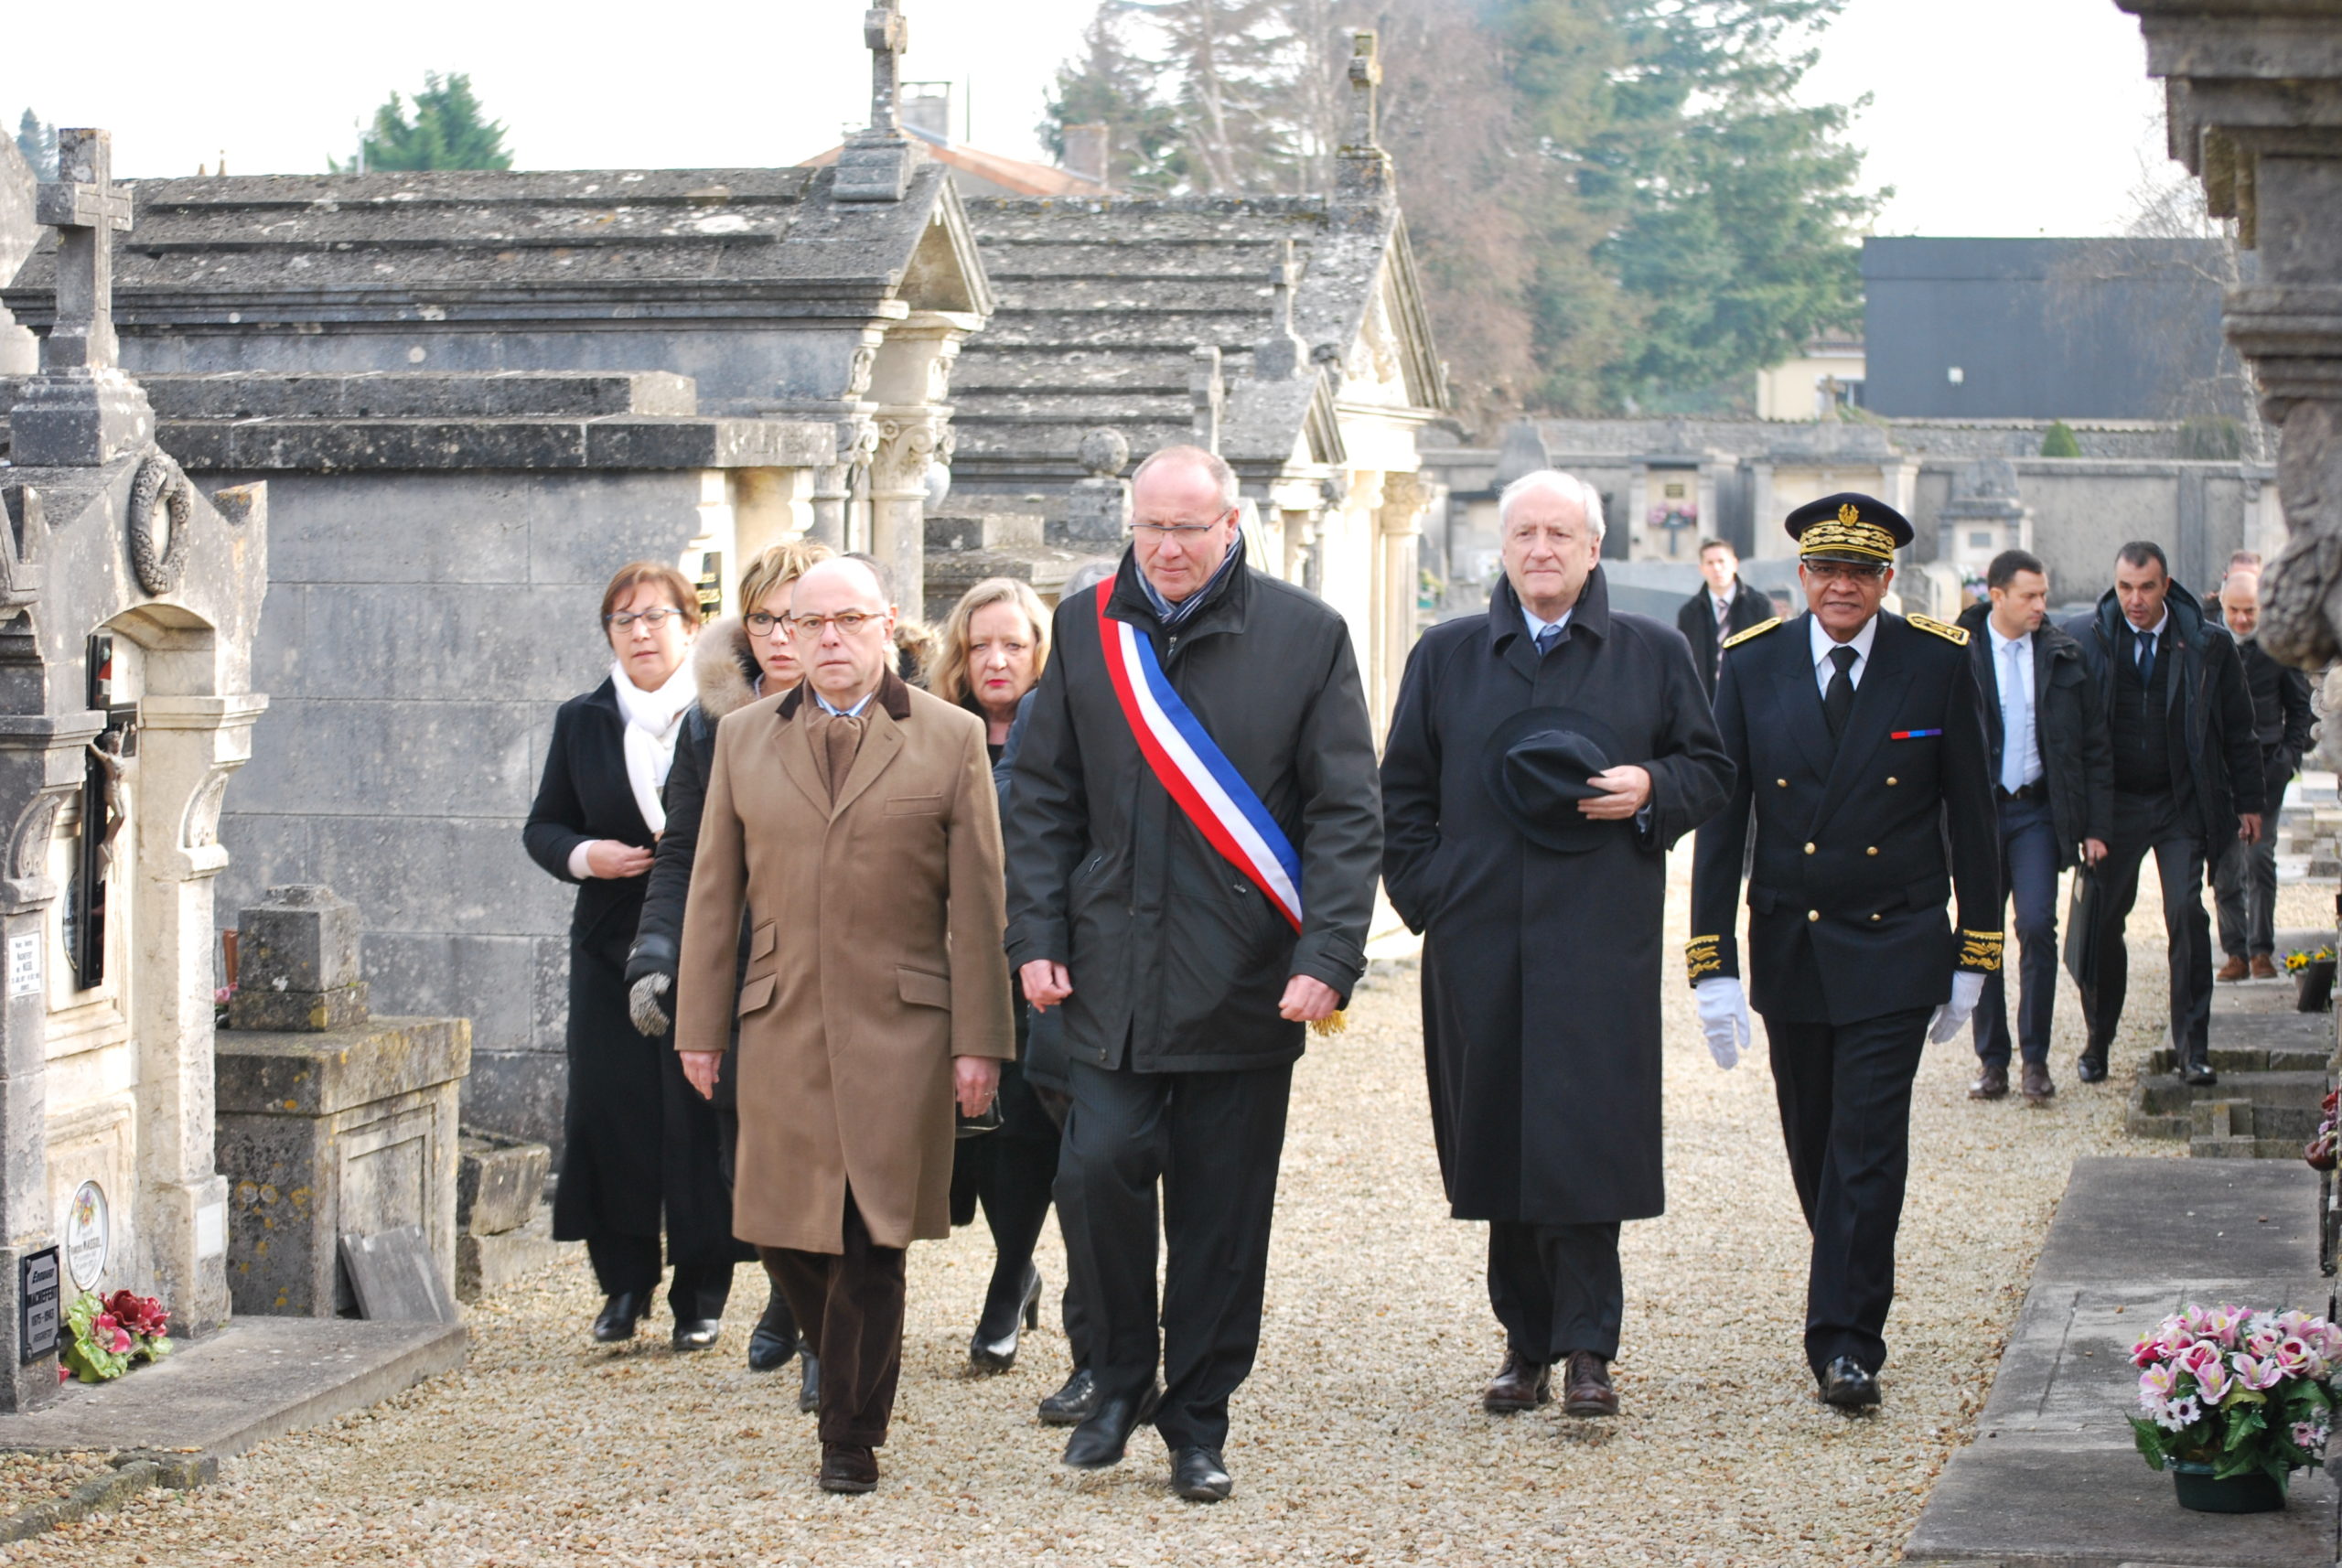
(507, 247)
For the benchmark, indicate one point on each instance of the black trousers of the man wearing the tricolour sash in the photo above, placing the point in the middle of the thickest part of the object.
(1212, 1141)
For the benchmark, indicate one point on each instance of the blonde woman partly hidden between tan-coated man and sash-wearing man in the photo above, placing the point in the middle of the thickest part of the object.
(994, 649)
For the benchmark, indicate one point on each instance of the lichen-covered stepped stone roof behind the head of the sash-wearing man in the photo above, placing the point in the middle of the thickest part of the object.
(1102, 305)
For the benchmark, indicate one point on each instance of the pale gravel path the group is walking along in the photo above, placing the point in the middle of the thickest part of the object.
(1360, 1438)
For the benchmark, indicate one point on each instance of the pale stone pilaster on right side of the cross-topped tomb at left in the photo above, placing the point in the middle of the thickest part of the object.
(189, 748)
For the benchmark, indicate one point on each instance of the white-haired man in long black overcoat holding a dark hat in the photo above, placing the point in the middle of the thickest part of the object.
(1542, 762)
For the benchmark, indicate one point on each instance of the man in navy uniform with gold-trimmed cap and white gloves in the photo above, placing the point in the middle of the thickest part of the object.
(1865, 776)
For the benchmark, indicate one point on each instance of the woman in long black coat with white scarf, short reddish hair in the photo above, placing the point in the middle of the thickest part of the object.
(638, 1143)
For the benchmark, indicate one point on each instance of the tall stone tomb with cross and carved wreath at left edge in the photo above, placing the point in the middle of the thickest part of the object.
(128, 614)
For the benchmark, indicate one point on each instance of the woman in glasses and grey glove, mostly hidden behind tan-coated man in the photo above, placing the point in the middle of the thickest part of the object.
(739, 659)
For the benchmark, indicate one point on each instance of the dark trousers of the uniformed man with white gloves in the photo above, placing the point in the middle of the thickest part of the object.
(1847, 1115)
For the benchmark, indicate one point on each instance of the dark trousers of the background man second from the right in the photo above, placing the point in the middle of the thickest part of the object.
(2153, 825)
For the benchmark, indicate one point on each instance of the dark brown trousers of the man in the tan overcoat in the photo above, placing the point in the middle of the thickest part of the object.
(851, 1312)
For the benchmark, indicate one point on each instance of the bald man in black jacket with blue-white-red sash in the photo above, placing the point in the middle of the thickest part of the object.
(1193, 846)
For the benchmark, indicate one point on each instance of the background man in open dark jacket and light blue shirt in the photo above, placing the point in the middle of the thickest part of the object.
(2055, 790)
